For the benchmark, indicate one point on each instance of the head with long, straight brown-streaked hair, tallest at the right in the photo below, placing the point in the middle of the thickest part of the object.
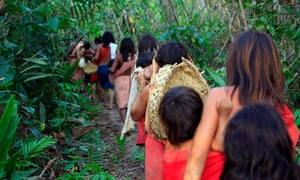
(253, 65)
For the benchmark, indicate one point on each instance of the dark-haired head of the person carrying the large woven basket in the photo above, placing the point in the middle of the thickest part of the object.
(171, 53)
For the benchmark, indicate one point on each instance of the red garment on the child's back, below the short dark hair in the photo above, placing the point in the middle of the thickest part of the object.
(174, 163)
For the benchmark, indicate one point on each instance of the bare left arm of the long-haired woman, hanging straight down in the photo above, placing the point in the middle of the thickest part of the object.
(203, 138)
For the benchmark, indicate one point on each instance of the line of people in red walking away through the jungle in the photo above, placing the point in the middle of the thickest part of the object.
(244, 130)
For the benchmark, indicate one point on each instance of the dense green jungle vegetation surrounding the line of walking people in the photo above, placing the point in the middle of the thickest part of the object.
(37, 98)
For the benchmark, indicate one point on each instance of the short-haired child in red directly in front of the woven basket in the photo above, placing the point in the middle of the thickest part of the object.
(180, 111)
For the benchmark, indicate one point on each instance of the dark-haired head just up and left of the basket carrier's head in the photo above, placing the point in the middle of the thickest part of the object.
(147, 43)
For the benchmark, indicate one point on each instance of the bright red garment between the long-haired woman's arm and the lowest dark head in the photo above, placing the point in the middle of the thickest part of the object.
(213, 166)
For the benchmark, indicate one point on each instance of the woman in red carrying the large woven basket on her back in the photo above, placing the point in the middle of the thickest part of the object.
(168, 53)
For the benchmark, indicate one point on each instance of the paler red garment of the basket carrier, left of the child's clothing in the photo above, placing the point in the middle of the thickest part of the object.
(154, 152)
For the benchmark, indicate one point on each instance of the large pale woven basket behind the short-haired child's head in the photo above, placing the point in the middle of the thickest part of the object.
(183, 74)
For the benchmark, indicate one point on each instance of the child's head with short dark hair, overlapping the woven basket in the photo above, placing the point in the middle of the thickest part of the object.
(180, 111)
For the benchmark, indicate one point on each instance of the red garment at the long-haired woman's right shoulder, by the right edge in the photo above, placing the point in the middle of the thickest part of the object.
(289, 121)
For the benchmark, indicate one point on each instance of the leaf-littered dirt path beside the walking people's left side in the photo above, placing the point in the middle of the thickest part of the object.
(118, 164)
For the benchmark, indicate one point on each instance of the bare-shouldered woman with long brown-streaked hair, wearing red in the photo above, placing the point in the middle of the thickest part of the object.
(254, 75)
